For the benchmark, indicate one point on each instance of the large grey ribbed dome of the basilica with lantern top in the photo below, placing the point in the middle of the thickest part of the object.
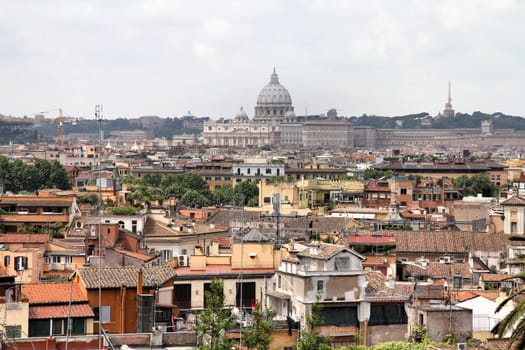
(274, 101)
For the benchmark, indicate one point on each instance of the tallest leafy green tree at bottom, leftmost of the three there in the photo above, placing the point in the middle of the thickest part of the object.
(215, 320)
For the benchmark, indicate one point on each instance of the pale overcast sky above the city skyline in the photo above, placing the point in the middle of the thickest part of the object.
(166, 57)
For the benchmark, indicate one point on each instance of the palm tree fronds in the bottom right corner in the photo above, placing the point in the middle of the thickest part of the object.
(515, 320)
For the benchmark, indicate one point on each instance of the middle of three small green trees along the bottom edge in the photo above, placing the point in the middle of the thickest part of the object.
(259, 334)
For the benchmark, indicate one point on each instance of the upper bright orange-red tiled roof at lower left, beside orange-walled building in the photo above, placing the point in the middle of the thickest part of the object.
(49, 293)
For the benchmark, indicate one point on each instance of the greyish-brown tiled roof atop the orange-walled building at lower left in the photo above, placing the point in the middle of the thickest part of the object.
(127, 276)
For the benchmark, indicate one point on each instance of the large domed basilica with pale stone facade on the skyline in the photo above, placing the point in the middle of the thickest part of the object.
(274, 104)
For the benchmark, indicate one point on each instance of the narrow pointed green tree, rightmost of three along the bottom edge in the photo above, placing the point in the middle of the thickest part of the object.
(310, 338)
